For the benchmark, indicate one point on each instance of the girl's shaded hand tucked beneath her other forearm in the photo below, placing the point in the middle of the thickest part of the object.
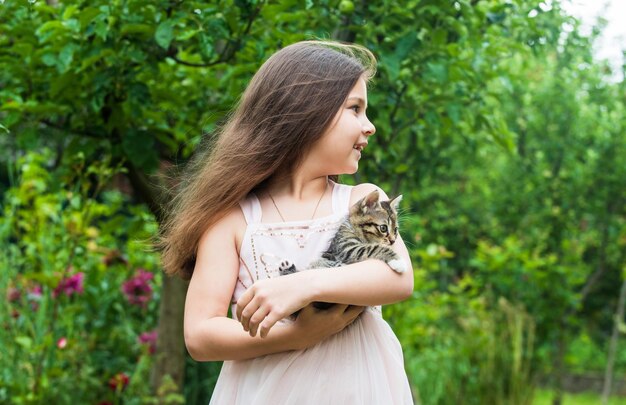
(314, 325)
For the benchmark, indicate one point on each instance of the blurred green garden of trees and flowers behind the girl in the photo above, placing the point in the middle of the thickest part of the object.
(503, 133)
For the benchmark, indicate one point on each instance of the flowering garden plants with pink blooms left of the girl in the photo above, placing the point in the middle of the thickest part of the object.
(59, 225)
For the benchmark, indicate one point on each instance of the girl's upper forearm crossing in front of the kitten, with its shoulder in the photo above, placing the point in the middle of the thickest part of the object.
(369, 283)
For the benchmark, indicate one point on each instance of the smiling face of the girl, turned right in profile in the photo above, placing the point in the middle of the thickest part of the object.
(338, 151)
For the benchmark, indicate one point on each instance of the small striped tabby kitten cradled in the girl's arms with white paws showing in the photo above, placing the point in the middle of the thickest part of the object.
(368, 232)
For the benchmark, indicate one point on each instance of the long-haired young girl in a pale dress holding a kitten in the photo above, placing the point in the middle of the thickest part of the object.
(267, 193)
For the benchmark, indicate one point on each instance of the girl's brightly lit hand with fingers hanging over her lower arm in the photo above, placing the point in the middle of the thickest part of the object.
(268, 301)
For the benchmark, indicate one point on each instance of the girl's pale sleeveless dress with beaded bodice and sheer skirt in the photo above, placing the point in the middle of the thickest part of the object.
(362, 364)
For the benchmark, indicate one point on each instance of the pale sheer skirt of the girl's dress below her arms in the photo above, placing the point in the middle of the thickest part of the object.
(362, 364)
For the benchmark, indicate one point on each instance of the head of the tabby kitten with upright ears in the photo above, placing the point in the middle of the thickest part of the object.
(375, 221)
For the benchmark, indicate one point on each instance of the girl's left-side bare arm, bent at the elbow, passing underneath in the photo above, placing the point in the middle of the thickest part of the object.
(211, 335)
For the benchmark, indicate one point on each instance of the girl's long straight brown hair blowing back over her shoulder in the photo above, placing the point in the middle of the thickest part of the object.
(288, 105)
